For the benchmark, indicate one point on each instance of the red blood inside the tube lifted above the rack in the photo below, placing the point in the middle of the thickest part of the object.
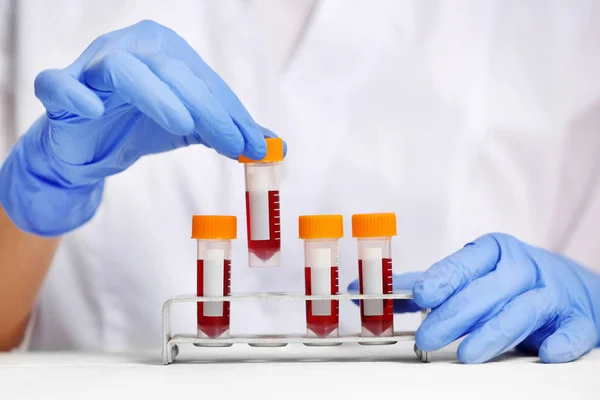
(265, 249)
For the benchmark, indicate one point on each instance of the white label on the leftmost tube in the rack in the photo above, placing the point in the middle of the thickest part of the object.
(214, 276)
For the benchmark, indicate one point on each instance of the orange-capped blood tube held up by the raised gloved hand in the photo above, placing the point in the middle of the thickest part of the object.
(262, 206)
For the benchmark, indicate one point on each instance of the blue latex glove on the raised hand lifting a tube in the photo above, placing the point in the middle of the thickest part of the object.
(133, 92)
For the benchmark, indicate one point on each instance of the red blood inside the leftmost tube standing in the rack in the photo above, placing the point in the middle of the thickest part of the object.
(213, 326)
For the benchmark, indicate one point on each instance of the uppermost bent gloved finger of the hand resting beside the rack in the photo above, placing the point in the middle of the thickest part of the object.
(454, 272)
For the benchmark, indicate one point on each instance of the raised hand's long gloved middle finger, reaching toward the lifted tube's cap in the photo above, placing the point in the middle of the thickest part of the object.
(213, 123)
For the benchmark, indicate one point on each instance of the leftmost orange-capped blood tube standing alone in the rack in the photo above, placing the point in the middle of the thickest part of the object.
(213, 234)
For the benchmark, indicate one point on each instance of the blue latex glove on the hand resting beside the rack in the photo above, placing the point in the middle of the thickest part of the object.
(502, 293)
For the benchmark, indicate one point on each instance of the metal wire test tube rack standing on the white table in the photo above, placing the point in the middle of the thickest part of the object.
(171, 343)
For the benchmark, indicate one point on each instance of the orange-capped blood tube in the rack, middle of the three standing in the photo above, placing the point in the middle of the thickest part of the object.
(321, 234)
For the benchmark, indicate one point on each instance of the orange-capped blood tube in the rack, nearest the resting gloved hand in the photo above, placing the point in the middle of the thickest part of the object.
(374, 240)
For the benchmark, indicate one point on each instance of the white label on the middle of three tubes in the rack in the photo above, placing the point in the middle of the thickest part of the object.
(320, 280)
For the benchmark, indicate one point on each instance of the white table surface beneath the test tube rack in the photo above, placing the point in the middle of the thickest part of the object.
(242, 372)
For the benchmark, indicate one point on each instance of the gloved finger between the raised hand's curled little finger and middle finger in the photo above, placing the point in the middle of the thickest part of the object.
(122, 73)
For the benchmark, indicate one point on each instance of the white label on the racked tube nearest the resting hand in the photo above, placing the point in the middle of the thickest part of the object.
(372, 270)
